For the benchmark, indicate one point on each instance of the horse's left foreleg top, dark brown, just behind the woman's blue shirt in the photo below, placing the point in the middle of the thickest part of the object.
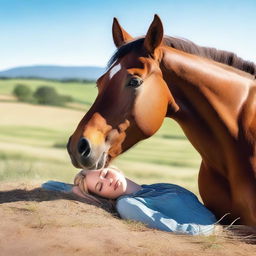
(214, 190)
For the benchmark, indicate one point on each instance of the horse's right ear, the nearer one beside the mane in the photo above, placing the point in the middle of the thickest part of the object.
(154, 35)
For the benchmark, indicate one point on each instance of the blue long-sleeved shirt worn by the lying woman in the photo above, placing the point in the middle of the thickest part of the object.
(167, 207)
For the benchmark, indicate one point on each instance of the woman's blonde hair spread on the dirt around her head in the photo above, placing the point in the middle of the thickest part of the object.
(108, 204)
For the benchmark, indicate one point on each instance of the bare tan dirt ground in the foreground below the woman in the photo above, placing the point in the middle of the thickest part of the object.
(36, 222)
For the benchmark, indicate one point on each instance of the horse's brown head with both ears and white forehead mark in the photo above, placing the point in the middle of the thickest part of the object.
(131, 104)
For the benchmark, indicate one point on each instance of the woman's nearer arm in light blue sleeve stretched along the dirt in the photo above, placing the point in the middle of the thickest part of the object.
(132, 209)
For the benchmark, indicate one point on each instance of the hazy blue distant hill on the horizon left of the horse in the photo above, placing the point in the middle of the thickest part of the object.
(54, 72)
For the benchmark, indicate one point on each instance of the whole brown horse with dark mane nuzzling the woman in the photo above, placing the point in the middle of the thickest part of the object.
(210, 93)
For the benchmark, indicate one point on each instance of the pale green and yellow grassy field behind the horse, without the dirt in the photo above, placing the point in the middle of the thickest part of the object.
(33, 138)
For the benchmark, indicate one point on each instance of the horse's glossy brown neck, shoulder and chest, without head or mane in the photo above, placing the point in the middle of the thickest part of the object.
(218, 117)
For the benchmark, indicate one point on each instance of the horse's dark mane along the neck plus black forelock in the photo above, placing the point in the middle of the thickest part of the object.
(225, 57)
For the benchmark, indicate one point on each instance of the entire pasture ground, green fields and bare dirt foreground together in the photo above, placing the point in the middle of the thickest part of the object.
(32, 150)
